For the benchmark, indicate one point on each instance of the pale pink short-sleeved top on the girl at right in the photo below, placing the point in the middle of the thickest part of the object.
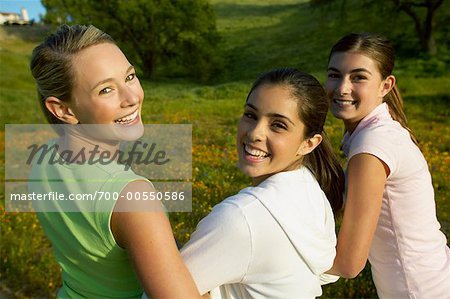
(409, 255)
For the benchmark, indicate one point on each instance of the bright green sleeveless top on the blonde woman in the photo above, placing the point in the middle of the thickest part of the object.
(93, 265)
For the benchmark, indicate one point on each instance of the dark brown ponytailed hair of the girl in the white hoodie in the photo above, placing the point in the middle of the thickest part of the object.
(312, 106)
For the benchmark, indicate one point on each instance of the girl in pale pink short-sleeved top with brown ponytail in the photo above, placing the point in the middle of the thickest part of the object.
(390, 214)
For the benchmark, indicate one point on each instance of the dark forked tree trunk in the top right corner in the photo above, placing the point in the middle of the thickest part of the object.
(423, 25)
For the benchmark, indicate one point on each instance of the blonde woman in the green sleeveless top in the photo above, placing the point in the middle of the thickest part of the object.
(83, 78)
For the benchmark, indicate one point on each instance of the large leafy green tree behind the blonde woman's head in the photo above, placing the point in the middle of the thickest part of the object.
(176, 34)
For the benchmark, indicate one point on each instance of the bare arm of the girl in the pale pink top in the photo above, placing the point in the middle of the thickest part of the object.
(366, 176)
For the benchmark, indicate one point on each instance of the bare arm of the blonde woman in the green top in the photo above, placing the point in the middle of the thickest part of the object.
(148, 238)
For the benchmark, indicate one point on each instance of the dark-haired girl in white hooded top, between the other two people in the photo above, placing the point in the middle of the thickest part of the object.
(277, 238)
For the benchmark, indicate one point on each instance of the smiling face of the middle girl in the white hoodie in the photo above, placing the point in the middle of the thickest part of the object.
(270, 133)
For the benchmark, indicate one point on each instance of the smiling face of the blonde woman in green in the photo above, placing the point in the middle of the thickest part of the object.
(107, 91)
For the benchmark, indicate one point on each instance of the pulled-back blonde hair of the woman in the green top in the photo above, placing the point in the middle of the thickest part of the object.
(51, 62)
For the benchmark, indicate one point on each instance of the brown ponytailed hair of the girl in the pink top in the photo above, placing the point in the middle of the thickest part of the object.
(379, 49)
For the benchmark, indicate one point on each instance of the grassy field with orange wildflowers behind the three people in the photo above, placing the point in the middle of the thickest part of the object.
(257, 36)
